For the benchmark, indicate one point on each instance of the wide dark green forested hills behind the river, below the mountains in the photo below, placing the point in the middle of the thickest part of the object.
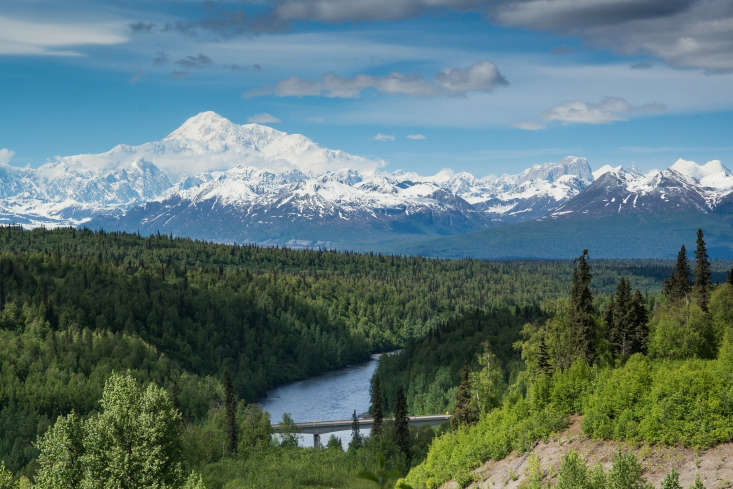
(76, 305)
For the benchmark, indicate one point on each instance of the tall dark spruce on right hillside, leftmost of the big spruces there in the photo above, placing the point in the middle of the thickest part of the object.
(581, 314)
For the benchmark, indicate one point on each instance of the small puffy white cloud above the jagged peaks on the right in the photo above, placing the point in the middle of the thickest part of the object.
(610, 109)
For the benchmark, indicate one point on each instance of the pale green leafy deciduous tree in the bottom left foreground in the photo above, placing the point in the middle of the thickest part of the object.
(133, 442)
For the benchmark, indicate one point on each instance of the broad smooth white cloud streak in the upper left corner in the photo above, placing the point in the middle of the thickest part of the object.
(27, 37)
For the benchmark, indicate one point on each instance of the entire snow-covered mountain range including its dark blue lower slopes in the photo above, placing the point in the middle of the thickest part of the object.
(216, 180)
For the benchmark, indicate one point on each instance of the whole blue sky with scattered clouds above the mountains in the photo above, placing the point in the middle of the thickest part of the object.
(486, 87)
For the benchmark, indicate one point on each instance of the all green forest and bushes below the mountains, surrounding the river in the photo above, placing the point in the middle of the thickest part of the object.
(184, 336)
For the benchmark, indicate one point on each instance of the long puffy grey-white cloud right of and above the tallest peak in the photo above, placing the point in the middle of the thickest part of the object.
(483, 76)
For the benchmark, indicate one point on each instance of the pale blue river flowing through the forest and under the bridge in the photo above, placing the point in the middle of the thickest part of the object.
(331, 396)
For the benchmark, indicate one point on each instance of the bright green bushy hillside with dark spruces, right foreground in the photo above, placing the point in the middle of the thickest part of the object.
(641, 371)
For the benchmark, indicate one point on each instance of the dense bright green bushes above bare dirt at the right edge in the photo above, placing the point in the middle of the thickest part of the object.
(661, 402)
